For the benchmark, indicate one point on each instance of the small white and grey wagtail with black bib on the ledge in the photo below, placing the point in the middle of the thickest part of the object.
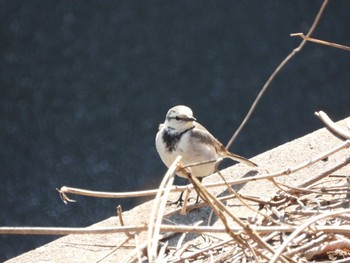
(181, 134)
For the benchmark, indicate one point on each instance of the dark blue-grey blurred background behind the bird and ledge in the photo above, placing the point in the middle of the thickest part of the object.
(84, 85)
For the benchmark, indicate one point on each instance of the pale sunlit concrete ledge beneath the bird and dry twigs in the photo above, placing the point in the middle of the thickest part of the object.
(115, 247)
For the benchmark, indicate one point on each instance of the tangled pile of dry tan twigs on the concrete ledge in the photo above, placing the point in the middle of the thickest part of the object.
(298, 224)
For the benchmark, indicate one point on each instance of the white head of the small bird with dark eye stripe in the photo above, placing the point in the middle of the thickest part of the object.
(179, 118)
